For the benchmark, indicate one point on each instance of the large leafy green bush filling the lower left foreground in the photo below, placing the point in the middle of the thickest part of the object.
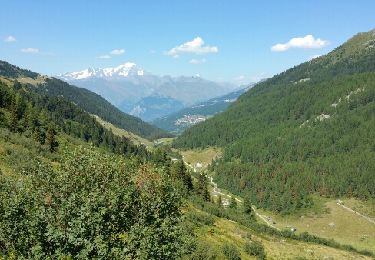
(93, 205)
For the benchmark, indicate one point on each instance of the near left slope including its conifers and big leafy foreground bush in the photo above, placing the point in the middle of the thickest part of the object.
(71, 189)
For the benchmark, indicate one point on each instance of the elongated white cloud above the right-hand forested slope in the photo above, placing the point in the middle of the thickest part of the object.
(307, 42)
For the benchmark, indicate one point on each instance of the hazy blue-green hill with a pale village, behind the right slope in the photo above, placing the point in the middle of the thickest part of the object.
(186, 117)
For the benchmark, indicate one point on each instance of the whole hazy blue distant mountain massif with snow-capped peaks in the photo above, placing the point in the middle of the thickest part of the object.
(128, 87)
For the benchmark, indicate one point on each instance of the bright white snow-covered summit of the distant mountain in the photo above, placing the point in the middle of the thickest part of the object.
(124, 70)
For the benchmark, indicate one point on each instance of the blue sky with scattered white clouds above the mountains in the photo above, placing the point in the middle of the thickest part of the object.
(237, 41)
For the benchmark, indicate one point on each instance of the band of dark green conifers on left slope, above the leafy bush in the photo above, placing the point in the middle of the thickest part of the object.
(44, 116)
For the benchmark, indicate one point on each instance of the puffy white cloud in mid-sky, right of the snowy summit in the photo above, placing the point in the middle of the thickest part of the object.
(195, 46)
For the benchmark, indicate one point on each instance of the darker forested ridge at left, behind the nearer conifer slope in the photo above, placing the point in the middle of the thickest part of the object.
(83, 98)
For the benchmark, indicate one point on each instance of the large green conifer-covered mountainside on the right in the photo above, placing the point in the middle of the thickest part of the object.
(307, 130)
